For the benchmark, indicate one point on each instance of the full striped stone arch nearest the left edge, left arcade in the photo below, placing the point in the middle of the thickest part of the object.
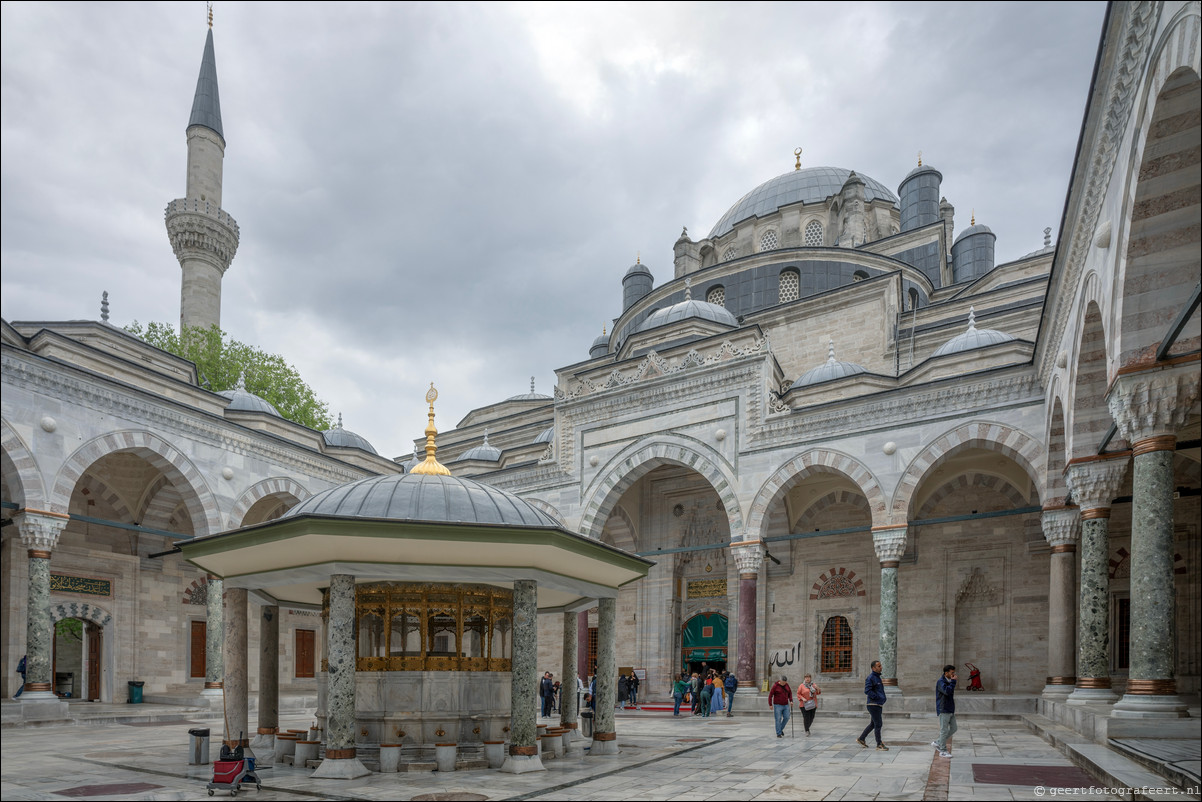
(201, 504)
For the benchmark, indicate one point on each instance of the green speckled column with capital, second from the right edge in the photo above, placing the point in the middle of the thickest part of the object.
(1094, 483)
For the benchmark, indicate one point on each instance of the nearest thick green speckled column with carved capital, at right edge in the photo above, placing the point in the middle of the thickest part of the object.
(1150, 407)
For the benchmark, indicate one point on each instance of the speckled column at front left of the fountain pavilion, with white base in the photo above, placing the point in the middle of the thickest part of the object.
(341, 761)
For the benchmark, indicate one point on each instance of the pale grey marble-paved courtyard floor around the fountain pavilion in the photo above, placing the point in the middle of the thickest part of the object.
(662, 759)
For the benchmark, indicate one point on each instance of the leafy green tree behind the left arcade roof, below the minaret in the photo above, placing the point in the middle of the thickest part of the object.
(222, 361)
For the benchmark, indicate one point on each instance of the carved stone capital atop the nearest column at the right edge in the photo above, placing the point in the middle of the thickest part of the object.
(1153, 402)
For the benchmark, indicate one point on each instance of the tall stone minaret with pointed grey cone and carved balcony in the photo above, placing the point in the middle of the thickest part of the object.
(204, 236)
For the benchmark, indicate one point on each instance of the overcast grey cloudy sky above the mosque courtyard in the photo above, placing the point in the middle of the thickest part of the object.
(453, 193)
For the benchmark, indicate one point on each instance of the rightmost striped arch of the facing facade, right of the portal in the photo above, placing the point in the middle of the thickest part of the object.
(1008, 441)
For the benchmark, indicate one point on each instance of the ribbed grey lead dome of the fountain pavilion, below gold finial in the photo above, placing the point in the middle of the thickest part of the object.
(421, 497)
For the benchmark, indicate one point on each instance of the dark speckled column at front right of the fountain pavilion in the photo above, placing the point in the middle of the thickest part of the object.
(525, 682)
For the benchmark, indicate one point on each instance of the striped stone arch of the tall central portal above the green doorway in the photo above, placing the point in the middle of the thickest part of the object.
(640, 459)
